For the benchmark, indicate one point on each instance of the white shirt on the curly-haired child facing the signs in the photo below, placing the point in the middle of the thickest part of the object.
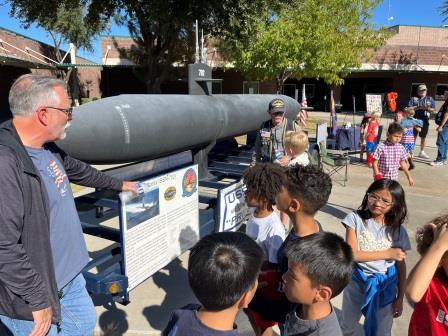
(268, 233)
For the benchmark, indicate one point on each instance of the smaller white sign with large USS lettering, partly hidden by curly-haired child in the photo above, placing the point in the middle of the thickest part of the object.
(233, 211)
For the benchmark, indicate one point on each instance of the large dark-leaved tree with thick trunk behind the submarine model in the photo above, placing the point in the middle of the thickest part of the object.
(164, 32)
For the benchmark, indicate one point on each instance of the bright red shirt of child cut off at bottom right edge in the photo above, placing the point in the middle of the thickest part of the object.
(430, 316)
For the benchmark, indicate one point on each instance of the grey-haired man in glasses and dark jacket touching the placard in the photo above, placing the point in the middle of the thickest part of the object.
(42, 248)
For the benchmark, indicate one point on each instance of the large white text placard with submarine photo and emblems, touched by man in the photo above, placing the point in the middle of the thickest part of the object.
(160, 223)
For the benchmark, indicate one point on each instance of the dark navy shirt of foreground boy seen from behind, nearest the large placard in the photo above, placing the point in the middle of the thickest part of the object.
(185, 322)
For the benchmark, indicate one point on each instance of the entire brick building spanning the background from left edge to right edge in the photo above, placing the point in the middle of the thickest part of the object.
(411, 56)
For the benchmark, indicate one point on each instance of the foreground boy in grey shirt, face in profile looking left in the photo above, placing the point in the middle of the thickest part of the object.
(320, 266)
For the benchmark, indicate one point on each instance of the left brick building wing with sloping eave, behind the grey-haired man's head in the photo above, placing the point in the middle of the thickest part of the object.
(20, 54)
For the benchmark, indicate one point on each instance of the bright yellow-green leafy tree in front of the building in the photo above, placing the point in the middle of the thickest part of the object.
(310, 38)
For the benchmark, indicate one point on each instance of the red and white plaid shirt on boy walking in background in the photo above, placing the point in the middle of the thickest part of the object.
(389, 156)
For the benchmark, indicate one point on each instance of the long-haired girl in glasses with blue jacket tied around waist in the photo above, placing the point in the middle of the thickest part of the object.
(379, 241)
